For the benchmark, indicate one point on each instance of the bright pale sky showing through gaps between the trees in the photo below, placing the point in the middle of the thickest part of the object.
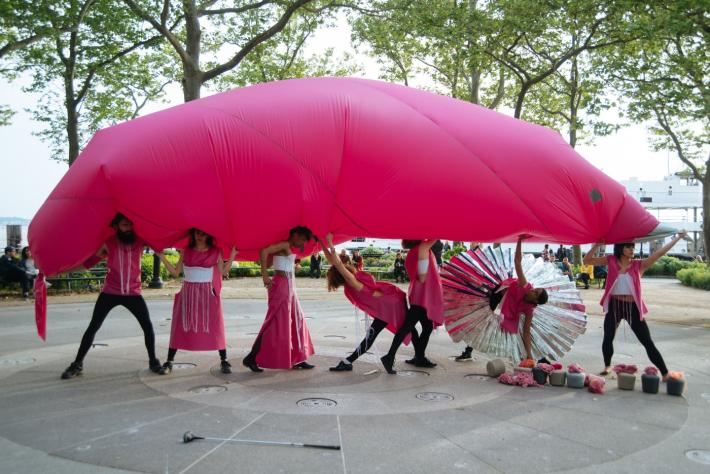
(29, 174)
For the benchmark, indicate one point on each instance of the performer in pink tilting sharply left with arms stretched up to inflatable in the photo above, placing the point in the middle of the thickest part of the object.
(386, 303)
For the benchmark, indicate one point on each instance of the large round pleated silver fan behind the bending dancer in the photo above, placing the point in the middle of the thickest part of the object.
(474, 283)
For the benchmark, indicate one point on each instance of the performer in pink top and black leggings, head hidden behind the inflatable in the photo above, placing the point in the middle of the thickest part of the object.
(426, 303)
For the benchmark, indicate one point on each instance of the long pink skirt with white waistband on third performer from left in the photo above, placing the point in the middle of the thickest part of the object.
(284, 337)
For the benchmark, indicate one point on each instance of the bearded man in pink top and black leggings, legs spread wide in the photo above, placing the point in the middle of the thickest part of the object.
(121, 288)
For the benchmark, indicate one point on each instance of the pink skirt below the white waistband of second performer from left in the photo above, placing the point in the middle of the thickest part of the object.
(198, 322)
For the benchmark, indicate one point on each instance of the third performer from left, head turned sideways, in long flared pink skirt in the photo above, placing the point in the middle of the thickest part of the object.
(283, 341)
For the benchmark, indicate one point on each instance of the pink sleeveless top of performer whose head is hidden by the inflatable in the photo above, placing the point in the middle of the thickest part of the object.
(429, 294)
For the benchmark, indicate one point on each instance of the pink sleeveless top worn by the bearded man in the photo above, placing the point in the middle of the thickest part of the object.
(124, 267)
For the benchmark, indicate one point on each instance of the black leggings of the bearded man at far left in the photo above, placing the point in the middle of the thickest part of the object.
(105, 303)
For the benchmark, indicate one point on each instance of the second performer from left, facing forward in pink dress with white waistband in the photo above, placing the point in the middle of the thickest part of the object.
(198, 322)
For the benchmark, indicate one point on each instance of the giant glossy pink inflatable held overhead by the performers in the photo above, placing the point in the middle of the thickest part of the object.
(351, 156)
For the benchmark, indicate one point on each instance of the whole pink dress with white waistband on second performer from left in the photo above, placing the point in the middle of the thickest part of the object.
(198, 322)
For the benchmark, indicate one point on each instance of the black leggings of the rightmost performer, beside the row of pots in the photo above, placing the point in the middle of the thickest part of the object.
(628, 310)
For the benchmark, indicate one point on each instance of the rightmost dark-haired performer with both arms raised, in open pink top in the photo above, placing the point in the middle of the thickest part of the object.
(622, 297)
